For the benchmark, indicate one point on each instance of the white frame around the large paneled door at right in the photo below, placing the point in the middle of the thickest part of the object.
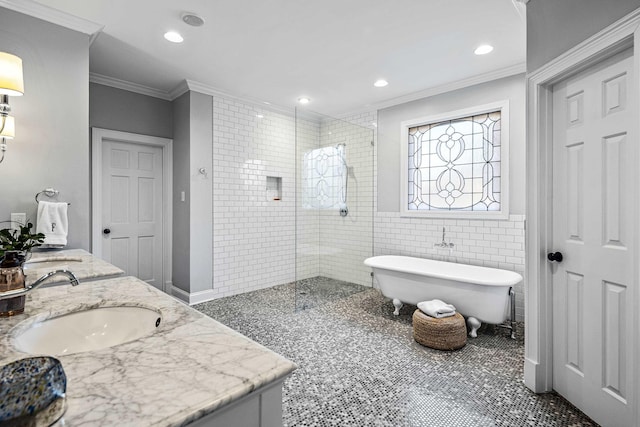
(538, 303)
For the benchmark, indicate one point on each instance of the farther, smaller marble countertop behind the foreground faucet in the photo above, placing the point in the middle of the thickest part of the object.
(83, 264)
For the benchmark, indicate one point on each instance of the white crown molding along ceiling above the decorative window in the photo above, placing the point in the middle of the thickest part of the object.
(513, 70)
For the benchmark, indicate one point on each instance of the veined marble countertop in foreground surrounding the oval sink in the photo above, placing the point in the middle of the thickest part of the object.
(189, 367)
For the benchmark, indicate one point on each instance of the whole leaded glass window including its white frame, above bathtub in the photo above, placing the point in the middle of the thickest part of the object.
(456, 164)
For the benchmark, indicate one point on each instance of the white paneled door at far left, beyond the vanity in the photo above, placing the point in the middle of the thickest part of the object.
(132, 209)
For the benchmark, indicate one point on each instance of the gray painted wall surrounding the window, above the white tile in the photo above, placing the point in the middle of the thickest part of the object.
(389, 119)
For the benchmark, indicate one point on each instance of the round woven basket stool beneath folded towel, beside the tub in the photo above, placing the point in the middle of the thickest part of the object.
(446, 333)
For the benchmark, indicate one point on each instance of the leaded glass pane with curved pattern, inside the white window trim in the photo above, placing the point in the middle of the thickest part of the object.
(455, 165)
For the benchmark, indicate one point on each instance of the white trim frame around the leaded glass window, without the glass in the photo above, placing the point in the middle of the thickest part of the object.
(503, 213)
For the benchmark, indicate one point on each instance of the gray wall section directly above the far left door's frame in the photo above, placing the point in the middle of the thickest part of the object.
(118, 109)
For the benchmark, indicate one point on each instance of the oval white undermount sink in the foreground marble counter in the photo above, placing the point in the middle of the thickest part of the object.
(87, 330)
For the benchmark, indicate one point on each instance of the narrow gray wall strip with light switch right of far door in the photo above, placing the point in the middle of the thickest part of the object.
(181, 210)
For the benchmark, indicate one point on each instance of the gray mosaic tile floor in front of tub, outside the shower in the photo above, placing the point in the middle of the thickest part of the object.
(359, 366)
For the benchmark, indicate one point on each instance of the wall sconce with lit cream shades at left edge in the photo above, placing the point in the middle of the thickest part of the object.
(11, 84)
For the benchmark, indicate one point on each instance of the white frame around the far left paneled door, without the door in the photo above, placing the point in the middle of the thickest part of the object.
(98, 135)
